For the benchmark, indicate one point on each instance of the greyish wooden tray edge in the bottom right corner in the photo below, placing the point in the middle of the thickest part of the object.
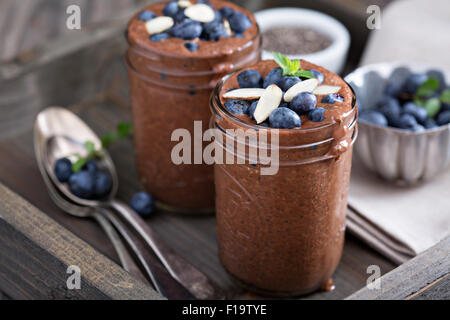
(423, 276)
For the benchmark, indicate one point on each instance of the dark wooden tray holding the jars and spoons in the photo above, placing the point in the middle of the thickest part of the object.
(38, 241)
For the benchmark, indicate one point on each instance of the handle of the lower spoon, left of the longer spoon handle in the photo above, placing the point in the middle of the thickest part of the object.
(124, 256)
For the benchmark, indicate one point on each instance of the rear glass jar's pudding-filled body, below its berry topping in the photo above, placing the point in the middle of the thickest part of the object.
(169, 92)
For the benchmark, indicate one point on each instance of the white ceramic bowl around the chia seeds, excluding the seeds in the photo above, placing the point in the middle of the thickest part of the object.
(333, 58)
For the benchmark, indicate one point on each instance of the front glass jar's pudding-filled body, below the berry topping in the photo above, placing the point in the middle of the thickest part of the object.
(282, 234)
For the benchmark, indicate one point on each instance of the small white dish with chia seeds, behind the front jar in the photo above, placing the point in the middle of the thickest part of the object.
(304, 34)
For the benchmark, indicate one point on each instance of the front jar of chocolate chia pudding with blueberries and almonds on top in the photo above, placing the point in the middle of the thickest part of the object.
(283, 234)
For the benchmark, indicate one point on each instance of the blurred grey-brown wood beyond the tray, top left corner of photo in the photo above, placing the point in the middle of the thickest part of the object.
(26, 24)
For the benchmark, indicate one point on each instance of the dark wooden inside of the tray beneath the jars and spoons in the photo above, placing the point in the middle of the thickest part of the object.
(91, 81)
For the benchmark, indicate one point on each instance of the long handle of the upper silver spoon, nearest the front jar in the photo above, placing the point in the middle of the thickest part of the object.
(181, 270)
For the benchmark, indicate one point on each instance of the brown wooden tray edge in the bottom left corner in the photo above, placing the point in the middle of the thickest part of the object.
(35, 253)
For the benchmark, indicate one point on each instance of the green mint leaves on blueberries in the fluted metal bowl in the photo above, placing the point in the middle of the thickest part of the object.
(425, 97)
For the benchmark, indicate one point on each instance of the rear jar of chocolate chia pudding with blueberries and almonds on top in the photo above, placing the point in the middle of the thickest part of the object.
(174, 62)
